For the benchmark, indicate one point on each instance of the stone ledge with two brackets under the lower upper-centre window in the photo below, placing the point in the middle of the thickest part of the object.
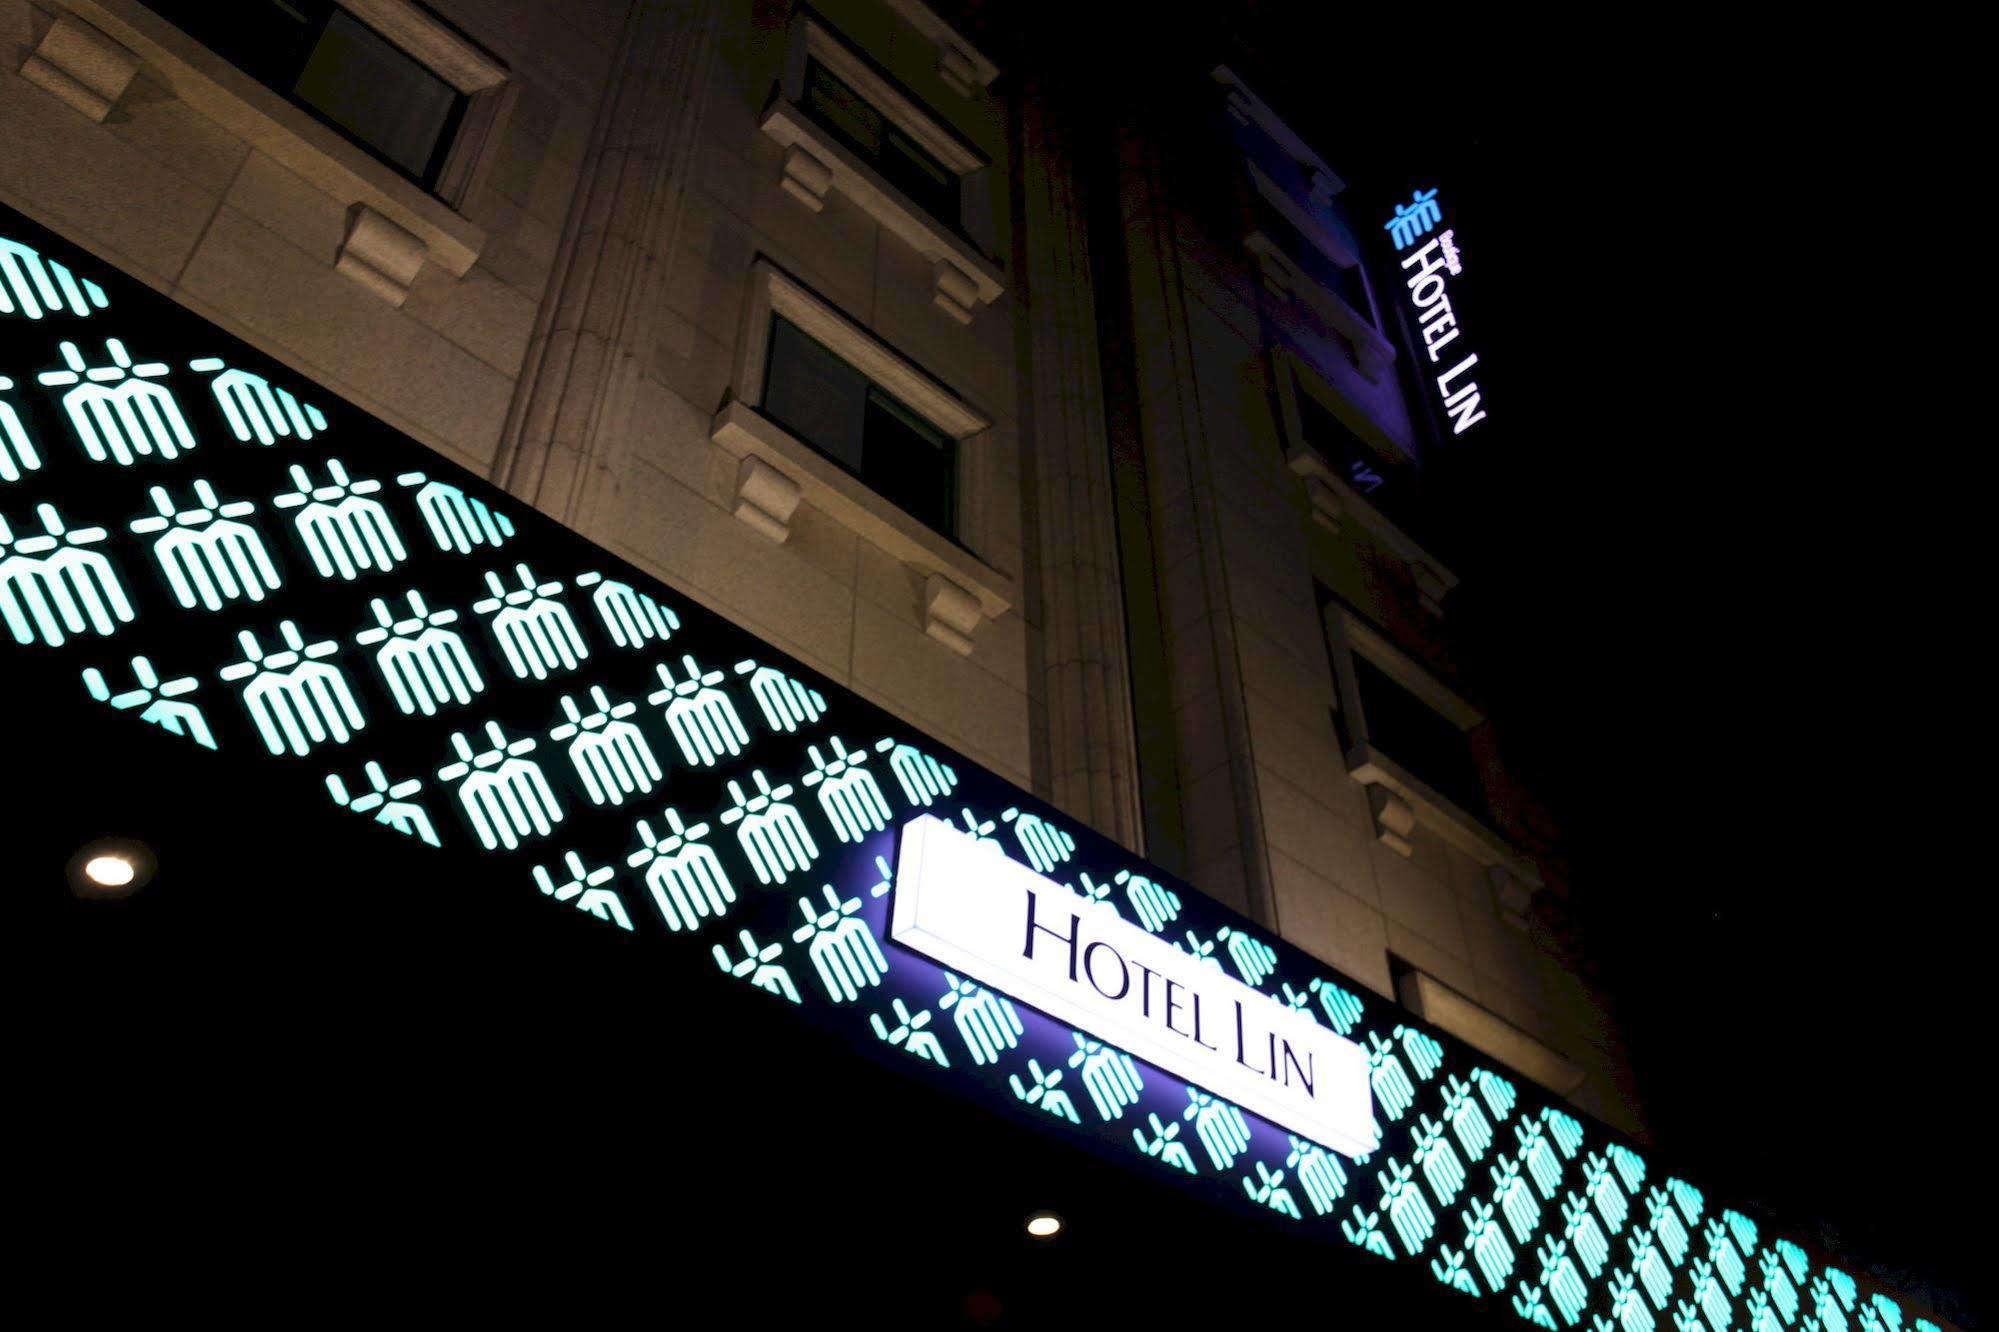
(745, 433)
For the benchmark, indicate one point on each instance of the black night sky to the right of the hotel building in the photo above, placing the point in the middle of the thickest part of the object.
(1716, 563)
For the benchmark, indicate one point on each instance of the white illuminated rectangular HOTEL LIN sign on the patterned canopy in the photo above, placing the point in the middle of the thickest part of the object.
(1036, 941)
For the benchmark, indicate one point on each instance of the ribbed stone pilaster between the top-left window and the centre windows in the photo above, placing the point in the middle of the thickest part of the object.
(571, 423)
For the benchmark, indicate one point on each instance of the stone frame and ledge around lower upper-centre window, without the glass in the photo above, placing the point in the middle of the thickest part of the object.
(745, 431)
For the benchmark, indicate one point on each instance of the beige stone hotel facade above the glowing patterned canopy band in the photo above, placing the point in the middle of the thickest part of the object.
(581, 313)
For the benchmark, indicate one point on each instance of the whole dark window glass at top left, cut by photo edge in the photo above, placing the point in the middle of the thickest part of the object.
(339, 69)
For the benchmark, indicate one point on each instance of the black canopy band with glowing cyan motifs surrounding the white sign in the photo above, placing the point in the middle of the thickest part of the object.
(203, 543)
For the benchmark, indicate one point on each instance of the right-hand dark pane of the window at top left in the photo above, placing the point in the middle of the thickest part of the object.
(379, 95)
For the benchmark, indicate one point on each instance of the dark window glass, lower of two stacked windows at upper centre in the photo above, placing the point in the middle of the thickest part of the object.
(831, 405)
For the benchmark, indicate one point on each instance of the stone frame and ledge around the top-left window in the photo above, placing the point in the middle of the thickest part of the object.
(291, 137)
